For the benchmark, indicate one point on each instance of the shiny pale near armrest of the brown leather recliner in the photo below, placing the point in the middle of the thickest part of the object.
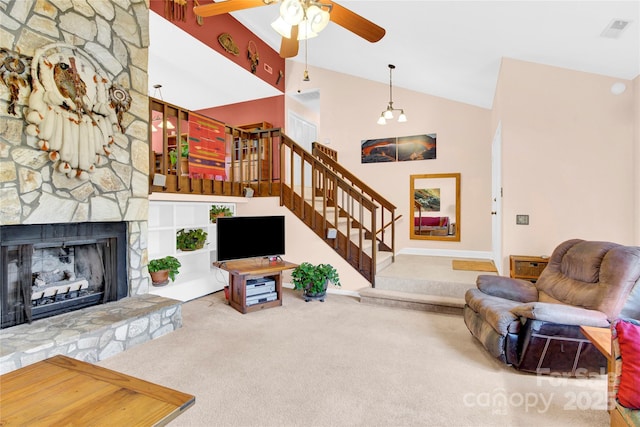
(562, 314)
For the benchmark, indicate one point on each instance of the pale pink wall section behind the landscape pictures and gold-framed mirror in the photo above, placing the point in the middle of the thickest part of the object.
(349, 108)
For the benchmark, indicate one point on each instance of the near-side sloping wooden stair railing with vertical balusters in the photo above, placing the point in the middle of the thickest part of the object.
(331, 204)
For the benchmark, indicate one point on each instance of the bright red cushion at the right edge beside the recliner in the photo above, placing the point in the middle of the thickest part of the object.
(629, 340)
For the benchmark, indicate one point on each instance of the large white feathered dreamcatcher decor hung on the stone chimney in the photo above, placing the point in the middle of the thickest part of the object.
(74, 111)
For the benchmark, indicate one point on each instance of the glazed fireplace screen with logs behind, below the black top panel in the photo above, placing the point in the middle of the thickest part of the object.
(46, 278)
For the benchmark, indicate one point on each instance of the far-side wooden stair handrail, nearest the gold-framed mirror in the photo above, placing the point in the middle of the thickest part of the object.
(387, 216)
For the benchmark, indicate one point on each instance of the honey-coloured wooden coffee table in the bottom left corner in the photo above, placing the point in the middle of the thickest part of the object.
(65, 391)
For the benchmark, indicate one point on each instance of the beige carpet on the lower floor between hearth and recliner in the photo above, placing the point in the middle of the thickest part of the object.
(342, 363)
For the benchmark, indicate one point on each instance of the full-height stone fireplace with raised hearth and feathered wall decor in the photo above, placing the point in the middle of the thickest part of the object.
(87, 296)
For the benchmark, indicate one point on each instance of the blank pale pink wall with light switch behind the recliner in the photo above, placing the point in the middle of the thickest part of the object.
(568, 157)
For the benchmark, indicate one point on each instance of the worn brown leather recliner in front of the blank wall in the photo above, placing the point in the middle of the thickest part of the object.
(536, 326)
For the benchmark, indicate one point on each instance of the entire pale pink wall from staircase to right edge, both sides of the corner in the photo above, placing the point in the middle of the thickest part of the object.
(570, 153)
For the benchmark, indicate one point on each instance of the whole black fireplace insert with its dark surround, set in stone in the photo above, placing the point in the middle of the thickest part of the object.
(56, 268)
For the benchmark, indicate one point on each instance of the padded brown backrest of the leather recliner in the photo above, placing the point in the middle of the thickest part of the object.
(594, 275)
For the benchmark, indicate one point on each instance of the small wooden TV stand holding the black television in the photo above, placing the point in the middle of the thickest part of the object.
(241, 271)
